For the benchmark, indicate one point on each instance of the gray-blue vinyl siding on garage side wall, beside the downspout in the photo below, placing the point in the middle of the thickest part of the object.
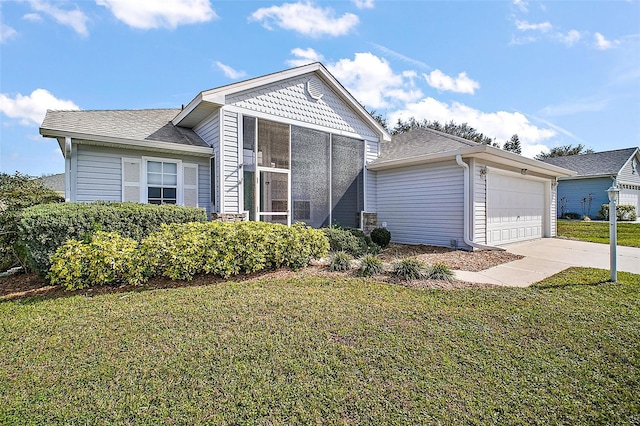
(422, 204)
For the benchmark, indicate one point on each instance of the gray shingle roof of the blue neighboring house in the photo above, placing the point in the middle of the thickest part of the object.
(599, 163)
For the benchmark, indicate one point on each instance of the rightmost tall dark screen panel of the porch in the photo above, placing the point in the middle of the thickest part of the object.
(347, 180)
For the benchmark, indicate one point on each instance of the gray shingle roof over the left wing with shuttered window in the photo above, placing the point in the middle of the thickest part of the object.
(146, 124)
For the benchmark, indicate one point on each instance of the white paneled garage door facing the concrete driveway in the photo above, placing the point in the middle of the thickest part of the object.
(515, 209)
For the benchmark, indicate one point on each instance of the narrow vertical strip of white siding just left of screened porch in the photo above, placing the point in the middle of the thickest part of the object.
(230, 163)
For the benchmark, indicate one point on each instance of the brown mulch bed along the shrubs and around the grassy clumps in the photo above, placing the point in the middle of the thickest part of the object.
(20, 286)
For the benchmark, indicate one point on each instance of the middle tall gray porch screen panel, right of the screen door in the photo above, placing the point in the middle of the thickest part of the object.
(310, 180)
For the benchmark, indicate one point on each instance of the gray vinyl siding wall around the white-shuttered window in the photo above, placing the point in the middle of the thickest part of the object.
(99, 173)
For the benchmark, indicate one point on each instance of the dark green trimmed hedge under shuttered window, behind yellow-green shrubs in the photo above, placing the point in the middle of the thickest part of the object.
(44, 228)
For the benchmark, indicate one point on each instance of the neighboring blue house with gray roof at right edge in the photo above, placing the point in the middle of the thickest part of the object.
(595, 174)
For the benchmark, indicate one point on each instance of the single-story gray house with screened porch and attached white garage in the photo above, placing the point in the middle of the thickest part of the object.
(296, 146)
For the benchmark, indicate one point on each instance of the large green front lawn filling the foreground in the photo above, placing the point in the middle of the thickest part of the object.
(312, 350)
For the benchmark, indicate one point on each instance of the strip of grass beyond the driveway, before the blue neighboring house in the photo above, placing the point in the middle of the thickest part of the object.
(598, 232)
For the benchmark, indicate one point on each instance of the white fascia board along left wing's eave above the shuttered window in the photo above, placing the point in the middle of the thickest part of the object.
(88, 139)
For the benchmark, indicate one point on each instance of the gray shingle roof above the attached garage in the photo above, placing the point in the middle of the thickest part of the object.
(420, 142)
